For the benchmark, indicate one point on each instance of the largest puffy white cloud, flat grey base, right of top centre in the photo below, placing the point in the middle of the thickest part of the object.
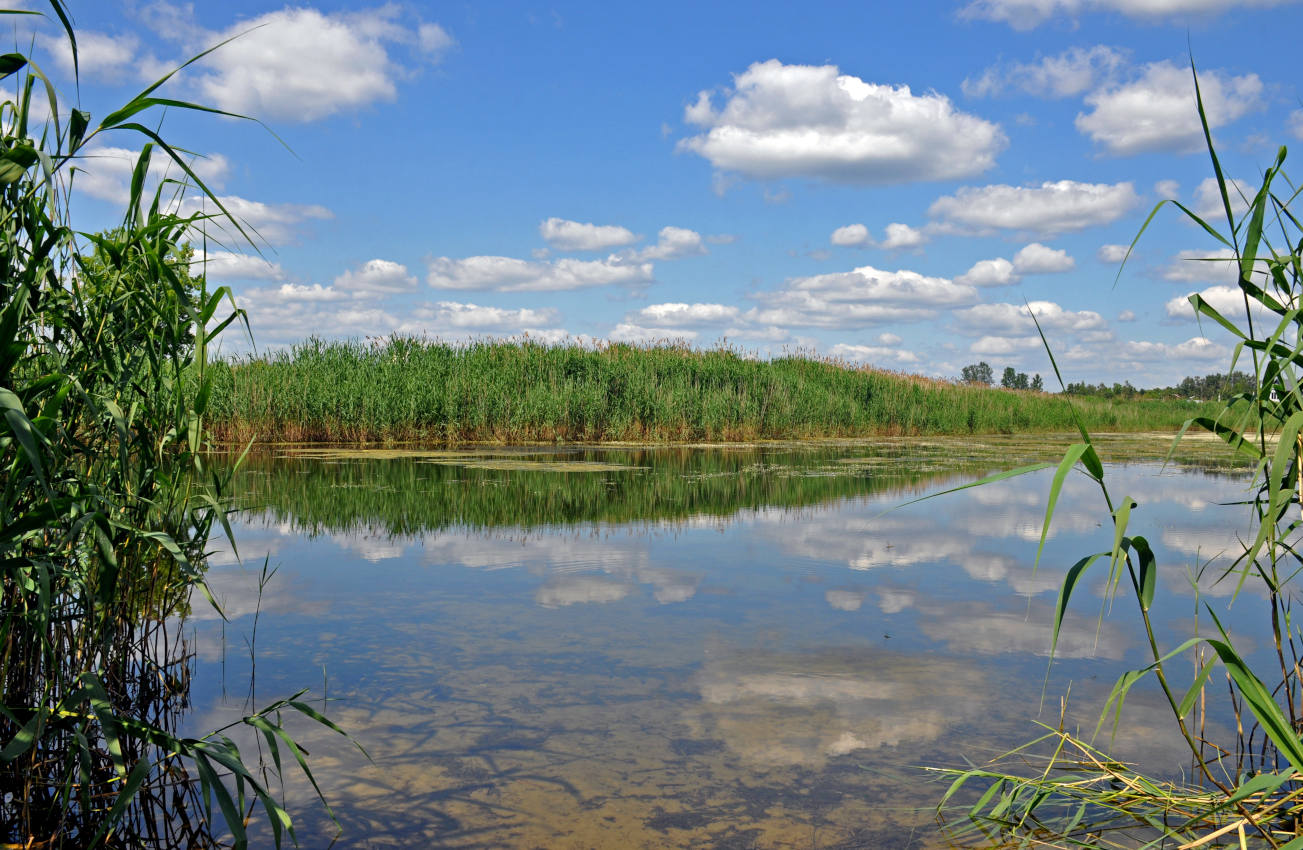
(815, 122)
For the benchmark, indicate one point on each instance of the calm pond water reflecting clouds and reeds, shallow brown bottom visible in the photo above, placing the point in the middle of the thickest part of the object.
(689, 647)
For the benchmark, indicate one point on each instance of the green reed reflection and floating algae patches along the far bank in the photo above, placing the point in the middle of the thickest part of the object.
(403, 492)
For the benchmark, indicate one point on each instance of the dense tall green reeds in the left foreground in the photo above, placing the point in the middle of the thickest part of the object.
(106, 500)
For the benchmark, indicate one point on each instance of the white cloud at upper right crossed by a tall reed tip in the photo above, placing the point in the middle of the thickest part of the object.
(1156, 111)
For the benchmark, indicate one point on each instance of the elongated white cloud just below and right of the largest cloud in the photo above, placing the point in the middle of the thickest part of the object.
(1051, 208)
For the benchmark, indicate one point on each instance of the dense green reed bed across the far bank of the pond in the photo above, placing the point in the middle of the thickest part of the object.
(410, 389)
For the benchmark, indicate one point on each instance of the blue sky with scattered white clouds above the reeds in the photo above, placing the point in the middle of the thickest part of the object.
(898, 186)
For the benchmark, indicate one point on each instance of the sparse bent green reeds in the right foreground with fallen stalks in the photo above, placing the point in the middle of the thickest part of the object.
(1249, 792)
